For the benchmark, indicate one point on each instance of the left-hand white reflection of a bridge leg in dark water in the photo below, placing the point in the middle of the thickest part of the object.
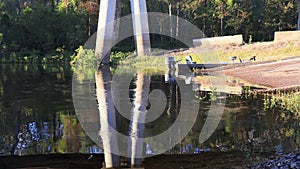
(107, 117)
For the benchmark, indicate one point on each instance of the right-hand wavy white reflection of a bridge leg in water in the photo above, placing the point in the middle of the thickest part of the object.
(138, 116)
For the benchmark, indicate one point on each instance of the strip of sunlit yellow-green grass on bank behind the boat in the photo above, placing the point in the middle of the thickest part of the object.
(264, 51)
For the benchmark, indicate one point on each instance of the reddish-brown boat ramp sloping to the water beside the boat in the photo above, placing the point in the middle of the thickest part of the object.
(281, 74)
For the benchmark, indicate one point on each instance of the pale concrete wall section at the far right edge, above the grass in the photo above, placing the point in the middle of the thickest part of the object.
(286, 36)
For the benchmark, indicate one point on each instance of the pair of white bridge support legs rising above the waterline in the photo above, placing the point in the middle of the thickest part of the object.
(107, 28)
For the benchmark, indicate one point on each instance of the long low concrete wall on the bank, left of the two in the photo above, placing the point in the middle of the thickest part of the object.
(218, 41)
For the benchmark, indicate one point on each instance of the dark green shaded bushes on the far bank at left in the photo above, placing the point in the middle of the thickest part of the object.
(40, 32)
